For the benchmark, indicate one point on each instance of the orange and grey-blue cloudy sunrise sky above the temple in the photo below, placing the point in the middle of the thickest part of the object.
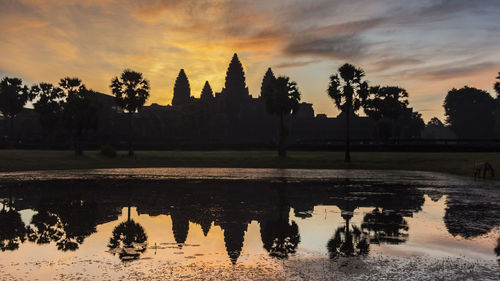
(427, 47)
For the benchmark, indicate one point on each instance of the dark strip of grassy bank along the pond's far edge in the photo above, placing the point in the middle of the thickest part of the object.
(453, 163)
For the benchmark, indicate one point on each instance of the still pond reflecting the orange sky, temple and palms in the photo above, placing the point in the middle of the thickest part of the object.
(247, 223)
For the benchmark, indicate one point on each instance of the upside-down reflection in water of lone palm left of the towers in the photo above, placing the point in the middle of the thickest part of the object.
(128, 240)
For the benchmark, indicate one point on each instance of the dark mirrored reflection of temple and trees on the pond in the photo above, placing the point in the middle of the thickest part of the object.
(67, 212)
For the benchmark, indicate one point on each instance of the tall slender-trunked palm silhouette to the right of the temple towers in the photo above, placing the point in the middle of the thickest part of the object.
(349, 92)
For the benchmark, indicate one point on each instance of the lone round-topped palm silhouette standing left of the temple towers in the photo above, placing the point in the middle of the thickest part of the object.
(131, 91)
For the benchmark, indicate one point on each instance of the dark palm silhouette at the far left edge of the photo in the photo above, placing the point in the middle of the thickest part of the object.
(13, 97)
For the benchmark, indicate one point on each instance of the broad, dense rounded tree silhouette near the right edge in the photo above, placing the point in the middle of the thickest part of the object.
(470, 112)
